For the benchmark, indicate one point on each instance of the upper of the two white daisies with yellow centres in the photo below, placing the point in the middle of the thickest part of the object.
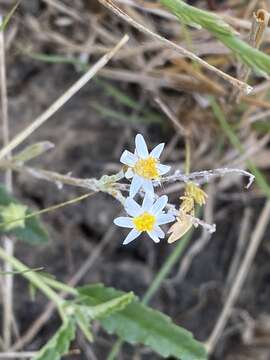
(143, 168)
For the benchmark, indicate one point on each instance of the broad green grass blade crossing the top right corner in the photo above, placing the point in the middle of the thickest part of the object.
(193, 16)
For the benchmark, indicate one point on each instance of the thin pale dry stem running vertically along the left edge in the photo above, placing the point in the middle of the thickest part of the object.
(8, 243)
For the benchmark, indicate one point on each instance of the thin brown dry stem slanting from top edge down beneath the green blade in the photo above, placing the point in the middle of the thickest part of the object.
(119, 12)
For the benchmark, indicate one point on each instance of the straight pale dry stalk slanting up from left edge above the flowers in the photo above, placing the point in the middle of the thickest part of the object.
(63, 99)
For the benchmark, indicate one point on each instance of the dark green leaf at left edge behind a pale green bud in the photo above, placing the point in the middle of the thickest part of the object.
(33, 231)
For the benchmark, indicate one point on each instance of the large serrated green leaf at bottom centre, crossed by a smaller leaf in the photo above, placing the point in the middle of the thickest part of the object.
(140, 324)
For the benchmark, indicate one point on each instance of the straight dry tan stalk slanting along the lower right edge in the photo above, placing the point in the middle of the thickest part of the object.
(240, 278)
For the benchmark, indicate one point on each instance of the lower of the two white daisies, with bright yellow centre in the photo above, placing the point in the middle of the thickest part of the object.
(147, 218)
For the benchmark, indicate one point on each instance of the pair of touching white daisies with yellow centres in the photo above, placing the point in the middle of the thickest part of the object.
(145, 171)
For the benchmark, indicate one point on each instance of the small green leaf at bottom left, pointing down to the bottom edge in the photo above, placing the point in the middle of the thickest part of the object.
(59, 344)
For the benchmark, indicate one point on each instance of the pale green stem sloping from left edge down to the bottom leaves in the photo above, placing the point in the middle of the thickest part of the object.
(34, 278)
